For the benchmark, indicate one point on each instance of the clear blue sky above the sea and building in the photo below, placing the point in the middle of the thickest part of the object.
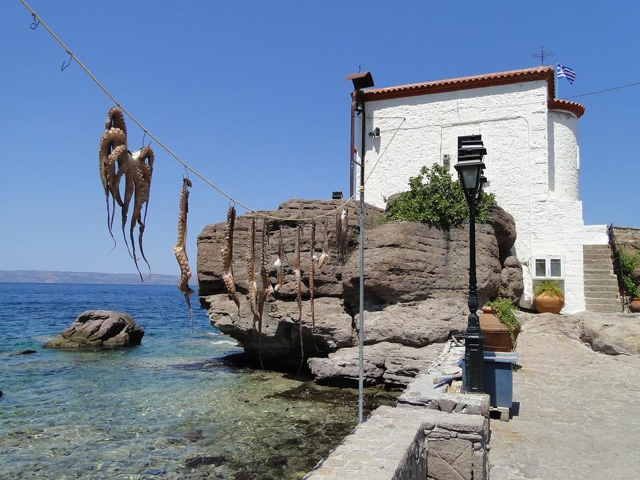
(251, 94)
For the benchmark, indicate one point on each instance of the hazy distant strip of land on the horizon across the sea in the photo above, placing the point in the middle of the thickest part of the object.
(43, 276)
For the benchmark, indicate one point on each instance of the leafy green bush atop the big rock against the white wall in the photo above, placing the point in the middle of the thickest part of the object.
(435, 198)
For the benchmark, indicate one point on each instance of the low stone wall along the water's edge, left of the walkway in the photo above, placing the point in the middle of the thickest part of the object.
(430, 435)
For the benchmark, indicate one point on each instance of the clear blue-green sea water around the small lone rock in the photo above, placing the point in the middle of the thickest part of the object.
(170, 408)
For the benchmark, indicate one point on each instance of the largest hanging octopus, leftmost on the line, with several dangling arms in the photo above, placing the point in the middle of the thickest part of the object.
(116, 162)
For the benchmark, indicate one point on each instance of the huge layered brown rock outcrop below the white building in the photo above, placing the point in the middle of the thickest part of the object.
(416, 289)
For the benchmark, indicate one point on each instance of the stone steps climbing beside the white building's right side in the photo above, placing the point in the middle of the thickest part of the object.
(600, 283)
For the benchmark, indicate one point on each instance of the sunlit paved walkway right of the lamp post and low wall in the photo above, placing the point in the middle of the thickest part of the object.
(579, 413)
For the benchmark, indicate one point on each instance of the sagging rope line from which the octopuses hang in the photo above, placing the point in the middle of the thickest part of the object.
(38, 21)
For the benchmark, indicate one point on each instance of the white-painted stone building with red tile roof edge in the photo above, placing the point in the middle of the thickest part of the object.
(532, 160)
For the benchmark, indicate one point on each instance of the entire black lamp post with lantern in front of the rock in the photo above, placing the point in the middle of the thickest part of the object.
(470, 170)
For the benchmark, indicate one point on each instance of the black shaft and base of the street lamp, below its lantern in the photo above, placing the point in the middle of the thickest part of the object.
(473, 345)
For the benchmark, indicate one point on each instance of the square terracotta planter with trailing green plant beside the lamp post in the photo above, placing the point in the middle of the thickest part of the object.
(499, 325)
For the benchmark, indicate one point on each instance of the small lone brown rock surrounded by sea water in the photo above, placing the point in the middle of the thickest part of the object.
(99, 329)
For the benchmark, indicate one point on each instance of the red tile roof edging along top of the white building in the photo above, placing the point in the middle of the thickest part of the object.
(478, 81)
